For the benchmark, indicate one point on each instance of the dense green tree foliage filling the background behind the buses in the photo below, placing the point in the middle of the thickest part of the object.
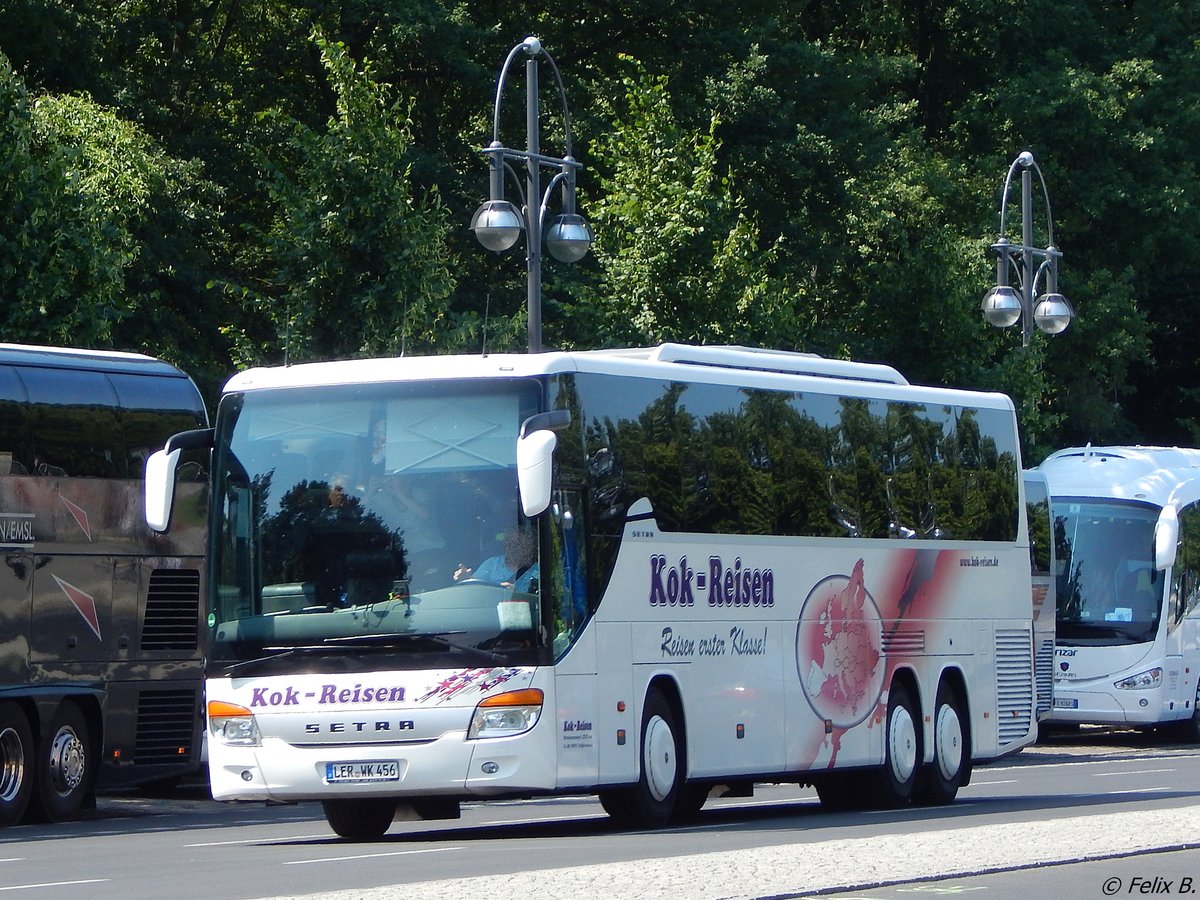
(249, 181)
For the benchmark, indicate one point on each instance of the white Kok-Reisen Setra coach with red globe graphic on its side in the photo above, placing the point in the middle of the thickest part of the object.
(637, 574)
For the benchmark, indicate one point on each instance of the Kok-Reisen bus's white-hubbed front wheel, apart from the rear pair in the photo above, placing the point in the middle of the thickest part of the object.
(652, 801)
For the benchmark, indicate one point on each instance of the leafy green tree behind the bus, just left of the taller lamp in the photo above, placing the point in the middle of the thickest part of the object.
(356, 261)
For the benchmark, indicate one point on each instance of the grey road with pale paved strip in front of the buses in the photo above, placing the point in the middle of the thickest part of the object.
(1091, 817)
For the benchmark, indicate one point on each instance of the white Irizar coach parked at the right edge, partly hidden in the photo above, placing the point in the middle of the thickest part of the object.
(1127, 537)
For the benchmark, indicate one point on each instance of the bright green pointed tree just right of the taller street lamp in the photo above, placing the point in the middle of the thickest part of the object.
(680, 257)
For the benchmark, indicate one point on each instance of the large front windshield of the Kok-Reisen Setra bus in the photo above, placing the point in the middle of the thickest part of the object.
(374, 523)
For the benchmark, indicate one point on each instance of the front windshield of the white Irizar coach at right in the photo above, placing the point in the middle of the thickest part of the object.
(1109, 592)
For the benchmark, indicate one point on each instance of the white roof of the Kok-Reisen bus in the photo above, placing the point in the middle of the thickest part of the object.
(707, 364)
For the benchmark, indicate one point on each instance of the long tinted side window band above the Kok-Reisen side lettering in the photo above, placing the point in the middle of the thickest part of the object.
(716, 459)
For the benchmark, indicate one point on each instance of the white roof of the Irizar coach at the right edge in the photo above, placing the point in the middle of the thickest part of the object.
(1150, 475)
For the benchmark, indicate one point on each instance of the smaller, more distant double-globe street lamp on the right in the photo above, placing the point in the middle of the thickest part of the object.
(1003, 307)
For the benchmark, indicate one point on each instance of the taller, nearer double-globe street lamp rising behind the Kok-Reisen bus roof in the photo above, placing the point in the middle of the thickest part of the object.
(499, 224)
